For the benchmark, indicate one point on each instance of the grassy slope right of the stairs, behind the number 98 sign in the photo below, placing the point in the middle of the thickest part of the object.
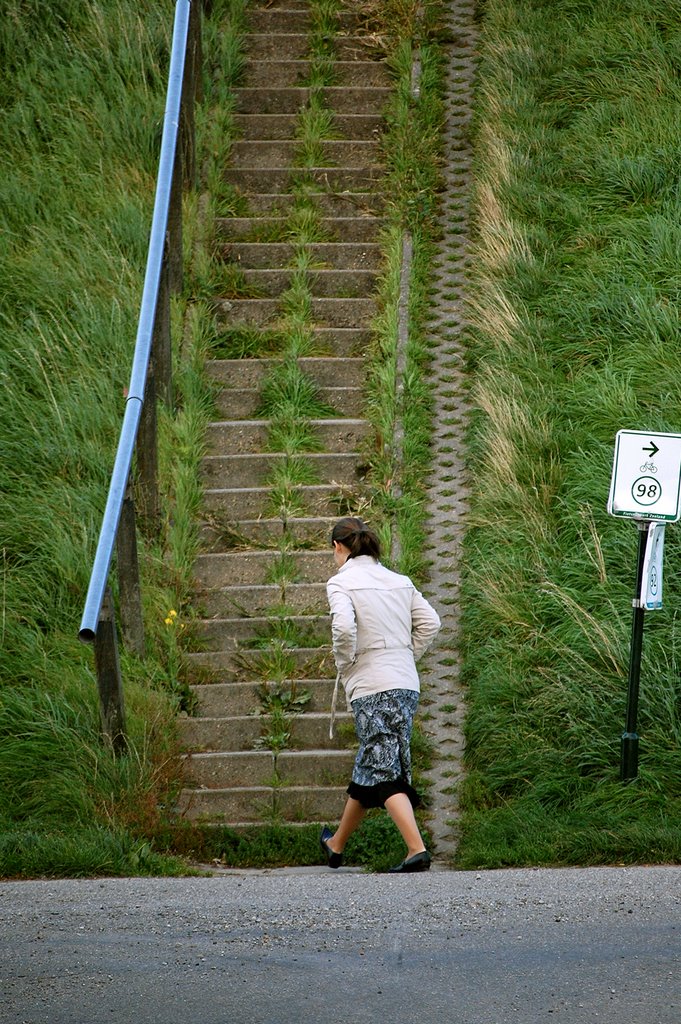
(576, 336)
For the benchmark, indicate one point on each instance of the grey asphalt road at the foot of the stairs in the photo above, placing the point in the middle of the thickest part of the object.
(574, 947)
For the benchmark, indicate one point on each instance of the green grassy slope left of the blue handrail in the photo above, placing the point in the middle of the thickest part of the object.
(82, 90)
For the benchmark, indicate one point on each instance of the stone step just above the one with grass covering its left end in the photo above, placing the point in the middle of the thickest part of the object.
(356, 314)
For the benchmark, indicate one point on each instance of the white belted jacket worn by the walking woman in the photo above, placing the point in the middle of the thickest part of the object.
(380, 625)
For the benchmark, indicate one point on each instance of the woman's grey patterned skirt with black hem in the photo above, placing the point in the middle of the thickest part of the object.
(384, 765)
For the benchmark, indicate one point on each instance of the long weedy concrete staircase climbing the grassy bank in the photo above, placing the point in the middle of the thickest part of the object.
(262, 669)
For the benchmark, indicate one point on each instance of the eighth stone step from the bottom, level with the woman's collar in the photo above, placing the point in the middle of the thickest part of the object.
(234, 569)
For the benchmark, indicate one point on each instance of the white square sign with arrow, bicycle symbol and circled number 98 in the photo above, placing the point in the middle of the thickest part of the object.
(647, 477)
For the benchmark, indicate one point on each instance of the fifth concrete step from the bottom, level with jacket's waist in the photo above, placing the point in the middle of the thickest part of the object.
(232, 667)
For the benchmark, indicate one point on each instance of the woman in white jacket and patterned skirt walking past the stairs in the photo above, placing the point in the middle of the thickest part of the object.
(380, 626)
